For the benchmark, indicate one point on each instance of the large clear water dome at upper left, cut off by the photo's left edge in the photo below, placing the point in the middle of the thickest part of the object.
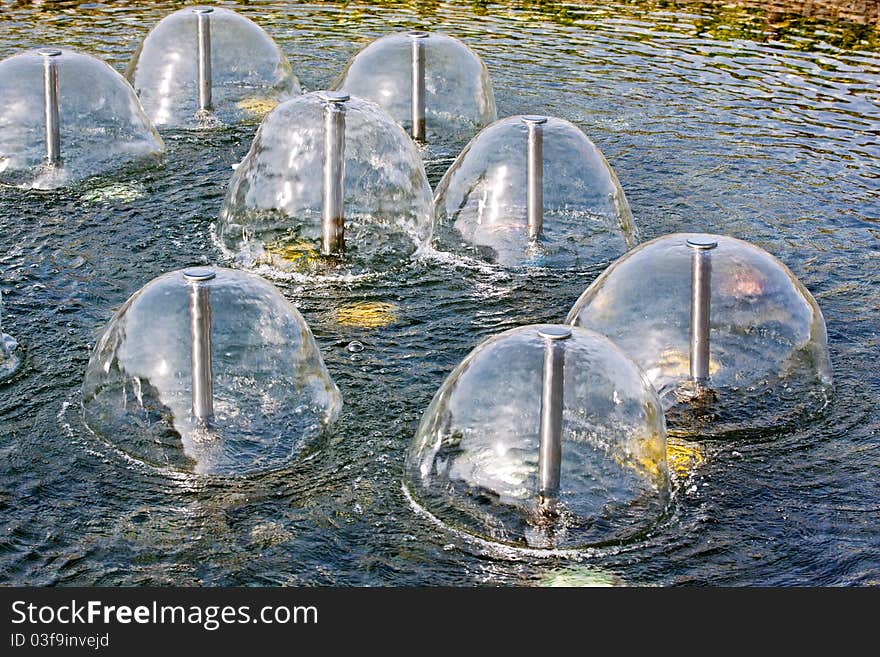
(66, 116)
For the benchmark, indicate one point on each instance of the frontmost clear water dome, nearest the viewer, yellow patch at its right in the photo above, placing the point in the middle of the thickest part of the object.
(545, 436)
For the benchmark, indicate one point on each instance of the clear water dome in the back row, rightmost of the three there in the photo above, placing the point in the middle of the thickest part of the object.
(432, 84)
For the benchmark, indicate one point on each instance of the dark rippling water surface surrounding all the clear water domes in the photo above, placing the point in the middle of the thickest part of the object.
(771, 138)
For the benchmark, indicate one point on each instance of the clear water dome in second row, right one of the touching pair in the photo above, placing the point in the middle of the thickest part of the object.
(533, 190)
